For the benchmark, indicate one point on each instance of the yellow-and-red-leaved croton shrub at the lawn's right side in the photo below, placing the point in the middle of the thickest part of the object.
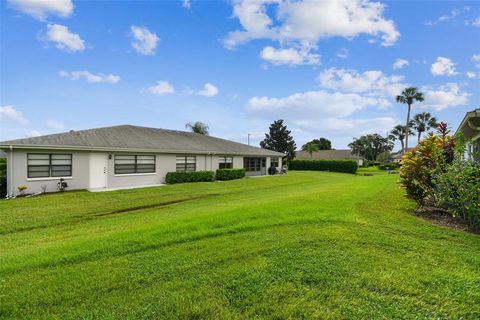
(421, 164)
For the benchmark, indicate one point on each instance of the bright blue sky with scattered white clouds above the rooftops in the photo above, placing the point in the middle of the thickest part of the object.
(328, 68)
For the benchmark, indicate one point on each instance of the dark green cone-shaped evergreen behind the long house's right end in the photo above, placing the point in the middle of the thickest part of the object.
(279, 139)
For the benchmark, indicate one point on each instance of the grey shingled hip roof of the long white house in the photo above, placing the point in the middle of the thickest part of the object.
(134, 138)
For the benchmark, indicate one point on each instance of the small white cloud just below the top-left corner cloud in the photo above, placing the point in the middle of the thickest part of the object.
(63, 38)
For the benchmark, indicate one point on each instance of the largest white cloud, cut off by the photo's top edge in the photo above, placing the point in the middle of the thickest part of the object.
(302, 24)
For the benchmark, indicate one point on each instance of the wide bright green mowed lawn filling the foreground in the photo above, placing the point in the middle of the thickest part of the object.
(302, 245)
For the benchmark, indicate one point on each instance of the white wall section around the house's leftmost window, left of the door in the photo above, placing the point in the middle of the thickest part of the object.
(17, 172)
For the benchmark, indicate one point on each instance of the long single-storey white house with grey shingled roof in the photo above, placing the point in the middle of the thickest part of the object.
(123, 156)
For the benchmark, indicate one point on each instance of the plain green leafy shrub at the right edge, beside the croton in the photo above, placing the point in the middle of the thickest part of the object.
(458, 189)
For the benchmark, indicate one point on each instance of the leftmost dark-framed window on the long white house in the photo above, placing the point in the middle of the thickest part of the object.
(44, 165)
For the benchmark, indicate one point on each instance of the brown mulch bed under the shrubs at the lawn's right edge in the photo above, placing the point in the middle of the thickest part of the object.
(442, 217)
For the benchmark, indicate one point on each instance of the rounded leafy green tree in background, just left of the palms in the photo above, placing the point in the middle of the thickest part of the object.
(370, 146)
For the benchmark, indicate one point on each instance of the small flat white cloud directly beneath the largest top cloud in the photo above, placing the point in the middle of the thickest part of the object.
(290, 56)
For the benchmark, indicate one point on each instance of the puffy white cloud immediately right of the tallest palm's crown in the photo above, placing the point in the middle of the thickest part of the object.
(445, 96)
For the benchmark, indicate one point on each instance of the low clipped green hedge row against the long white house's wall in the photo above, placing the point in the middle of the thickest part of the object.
(204, 176)
